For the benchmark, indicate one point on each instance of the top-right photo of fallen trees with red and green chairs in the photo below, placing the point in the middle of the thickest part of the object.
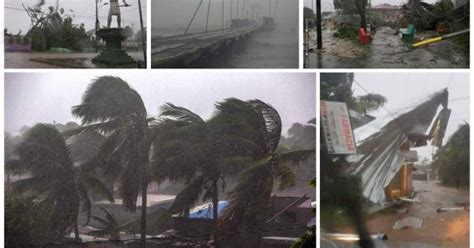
(386, 34)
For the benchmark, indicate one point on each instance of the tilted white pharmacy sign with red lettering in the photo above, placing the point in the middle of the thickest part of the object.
(337, 128)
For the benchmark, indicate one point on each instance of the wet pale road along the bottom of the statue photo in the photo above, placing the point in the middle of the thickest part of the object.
(54, 60)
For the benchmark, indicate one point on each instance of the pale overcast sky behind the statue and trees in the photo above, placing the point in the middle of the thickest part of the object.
(16, 18)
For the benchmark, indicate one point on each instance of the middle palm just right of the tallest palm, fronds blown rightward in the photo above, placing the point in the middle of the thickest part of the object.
(194, 151)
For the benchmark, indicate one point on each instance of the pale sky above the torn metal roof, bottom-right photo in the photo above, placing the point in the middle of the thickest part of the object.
(406, 89)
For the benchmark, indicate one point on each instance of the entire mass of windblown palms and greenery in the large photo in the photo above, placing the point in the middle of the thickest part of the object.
(240, 142)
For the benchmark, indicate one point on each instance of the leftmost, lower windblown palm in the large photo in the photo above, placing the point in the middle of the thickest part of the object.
(53, 178)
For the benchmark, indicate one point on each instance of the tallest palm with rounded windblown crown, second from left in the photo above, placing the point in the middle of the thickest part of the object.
(111, 107)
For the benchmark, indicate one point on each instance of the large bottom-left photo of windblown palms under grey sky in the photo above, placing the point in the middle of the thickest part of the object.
(194, 159)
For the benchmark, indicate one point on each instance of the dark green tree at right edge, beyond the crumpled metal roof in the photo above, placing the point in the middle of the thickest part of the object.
(452, 160)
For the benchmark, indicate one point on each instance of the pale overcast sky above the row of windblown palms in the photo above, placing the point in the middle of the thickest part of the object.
(47, 97)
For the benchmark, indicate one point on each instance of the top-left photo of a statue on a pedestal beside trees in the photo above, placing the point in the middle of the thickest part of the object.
(70, 34)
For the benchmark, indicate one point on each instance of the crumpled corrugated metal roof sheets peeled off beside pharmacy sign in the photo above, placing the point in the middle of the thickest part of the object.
(379, 155)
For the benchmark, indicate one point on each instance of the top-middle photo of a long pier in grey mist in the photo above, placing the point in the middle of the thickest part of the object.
(224, 34)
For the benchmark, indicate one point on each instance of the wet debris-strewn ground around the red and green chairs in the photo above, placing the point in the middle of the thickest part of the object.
(387, 50)
